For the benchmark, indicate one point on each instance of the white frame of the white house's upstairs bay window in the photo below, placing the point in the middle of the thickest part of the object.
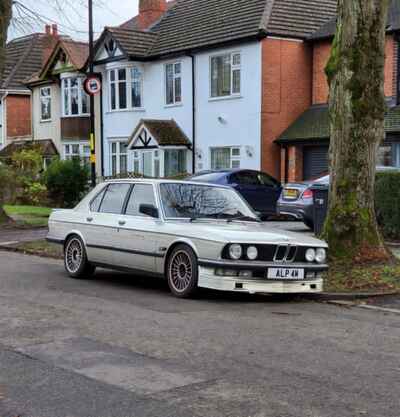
(128, 88)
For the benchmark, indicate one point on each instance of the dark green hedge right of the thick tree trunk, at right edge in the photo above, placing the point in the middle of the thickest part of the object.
(387, 201)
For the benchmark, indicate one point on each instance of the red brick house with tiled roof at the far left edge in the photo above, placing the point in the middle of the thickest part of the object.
(24, 56)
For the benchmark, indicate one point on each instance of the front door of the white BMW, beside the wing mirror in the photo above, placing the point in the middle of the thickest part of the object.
(137, 232)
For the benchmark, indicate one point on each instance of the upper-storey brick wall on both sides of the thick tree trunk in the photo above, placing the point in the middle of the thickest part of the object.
(321, 55)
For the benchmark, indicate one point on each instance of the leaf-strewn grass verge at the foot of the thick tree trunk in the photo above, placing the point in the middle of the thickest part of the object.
(363, 278)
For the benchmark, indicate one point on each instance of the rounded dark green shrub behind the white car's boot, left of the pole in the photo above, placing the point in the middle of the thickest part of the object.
(66, 182)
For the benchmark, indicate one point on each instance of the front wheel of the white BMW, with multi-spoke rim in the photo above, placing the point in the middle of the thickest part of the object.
(183, 272)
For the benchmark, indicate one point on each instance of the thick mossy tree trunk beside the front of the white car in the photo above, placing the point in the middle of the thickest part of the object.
(357, 109)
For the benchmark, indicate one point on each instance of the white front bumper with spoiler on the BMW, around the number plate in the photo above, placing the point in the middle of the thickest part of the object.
(209, 279)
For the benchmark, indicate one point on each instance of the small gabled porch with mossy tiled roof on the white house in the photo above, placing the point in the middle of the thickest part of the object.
(160, 148)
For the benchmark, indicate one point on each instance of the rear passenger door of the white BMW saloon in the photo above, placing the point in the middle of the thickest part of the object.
(102, 223)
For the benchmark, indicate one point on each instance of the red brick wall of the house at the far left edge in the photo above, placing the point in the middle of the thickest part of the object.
(18, 116)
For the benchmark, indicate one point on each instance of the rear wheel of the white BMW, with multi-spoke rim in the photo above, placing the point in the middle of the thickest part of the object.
(75, 259)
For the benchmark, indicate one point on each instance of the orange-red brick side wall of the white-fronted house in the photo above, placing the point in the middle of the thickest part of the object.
(286, 94)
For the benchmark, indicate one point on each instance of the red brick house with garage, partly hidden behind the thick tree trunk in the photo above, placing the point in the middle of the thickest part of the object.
(305, 143)
